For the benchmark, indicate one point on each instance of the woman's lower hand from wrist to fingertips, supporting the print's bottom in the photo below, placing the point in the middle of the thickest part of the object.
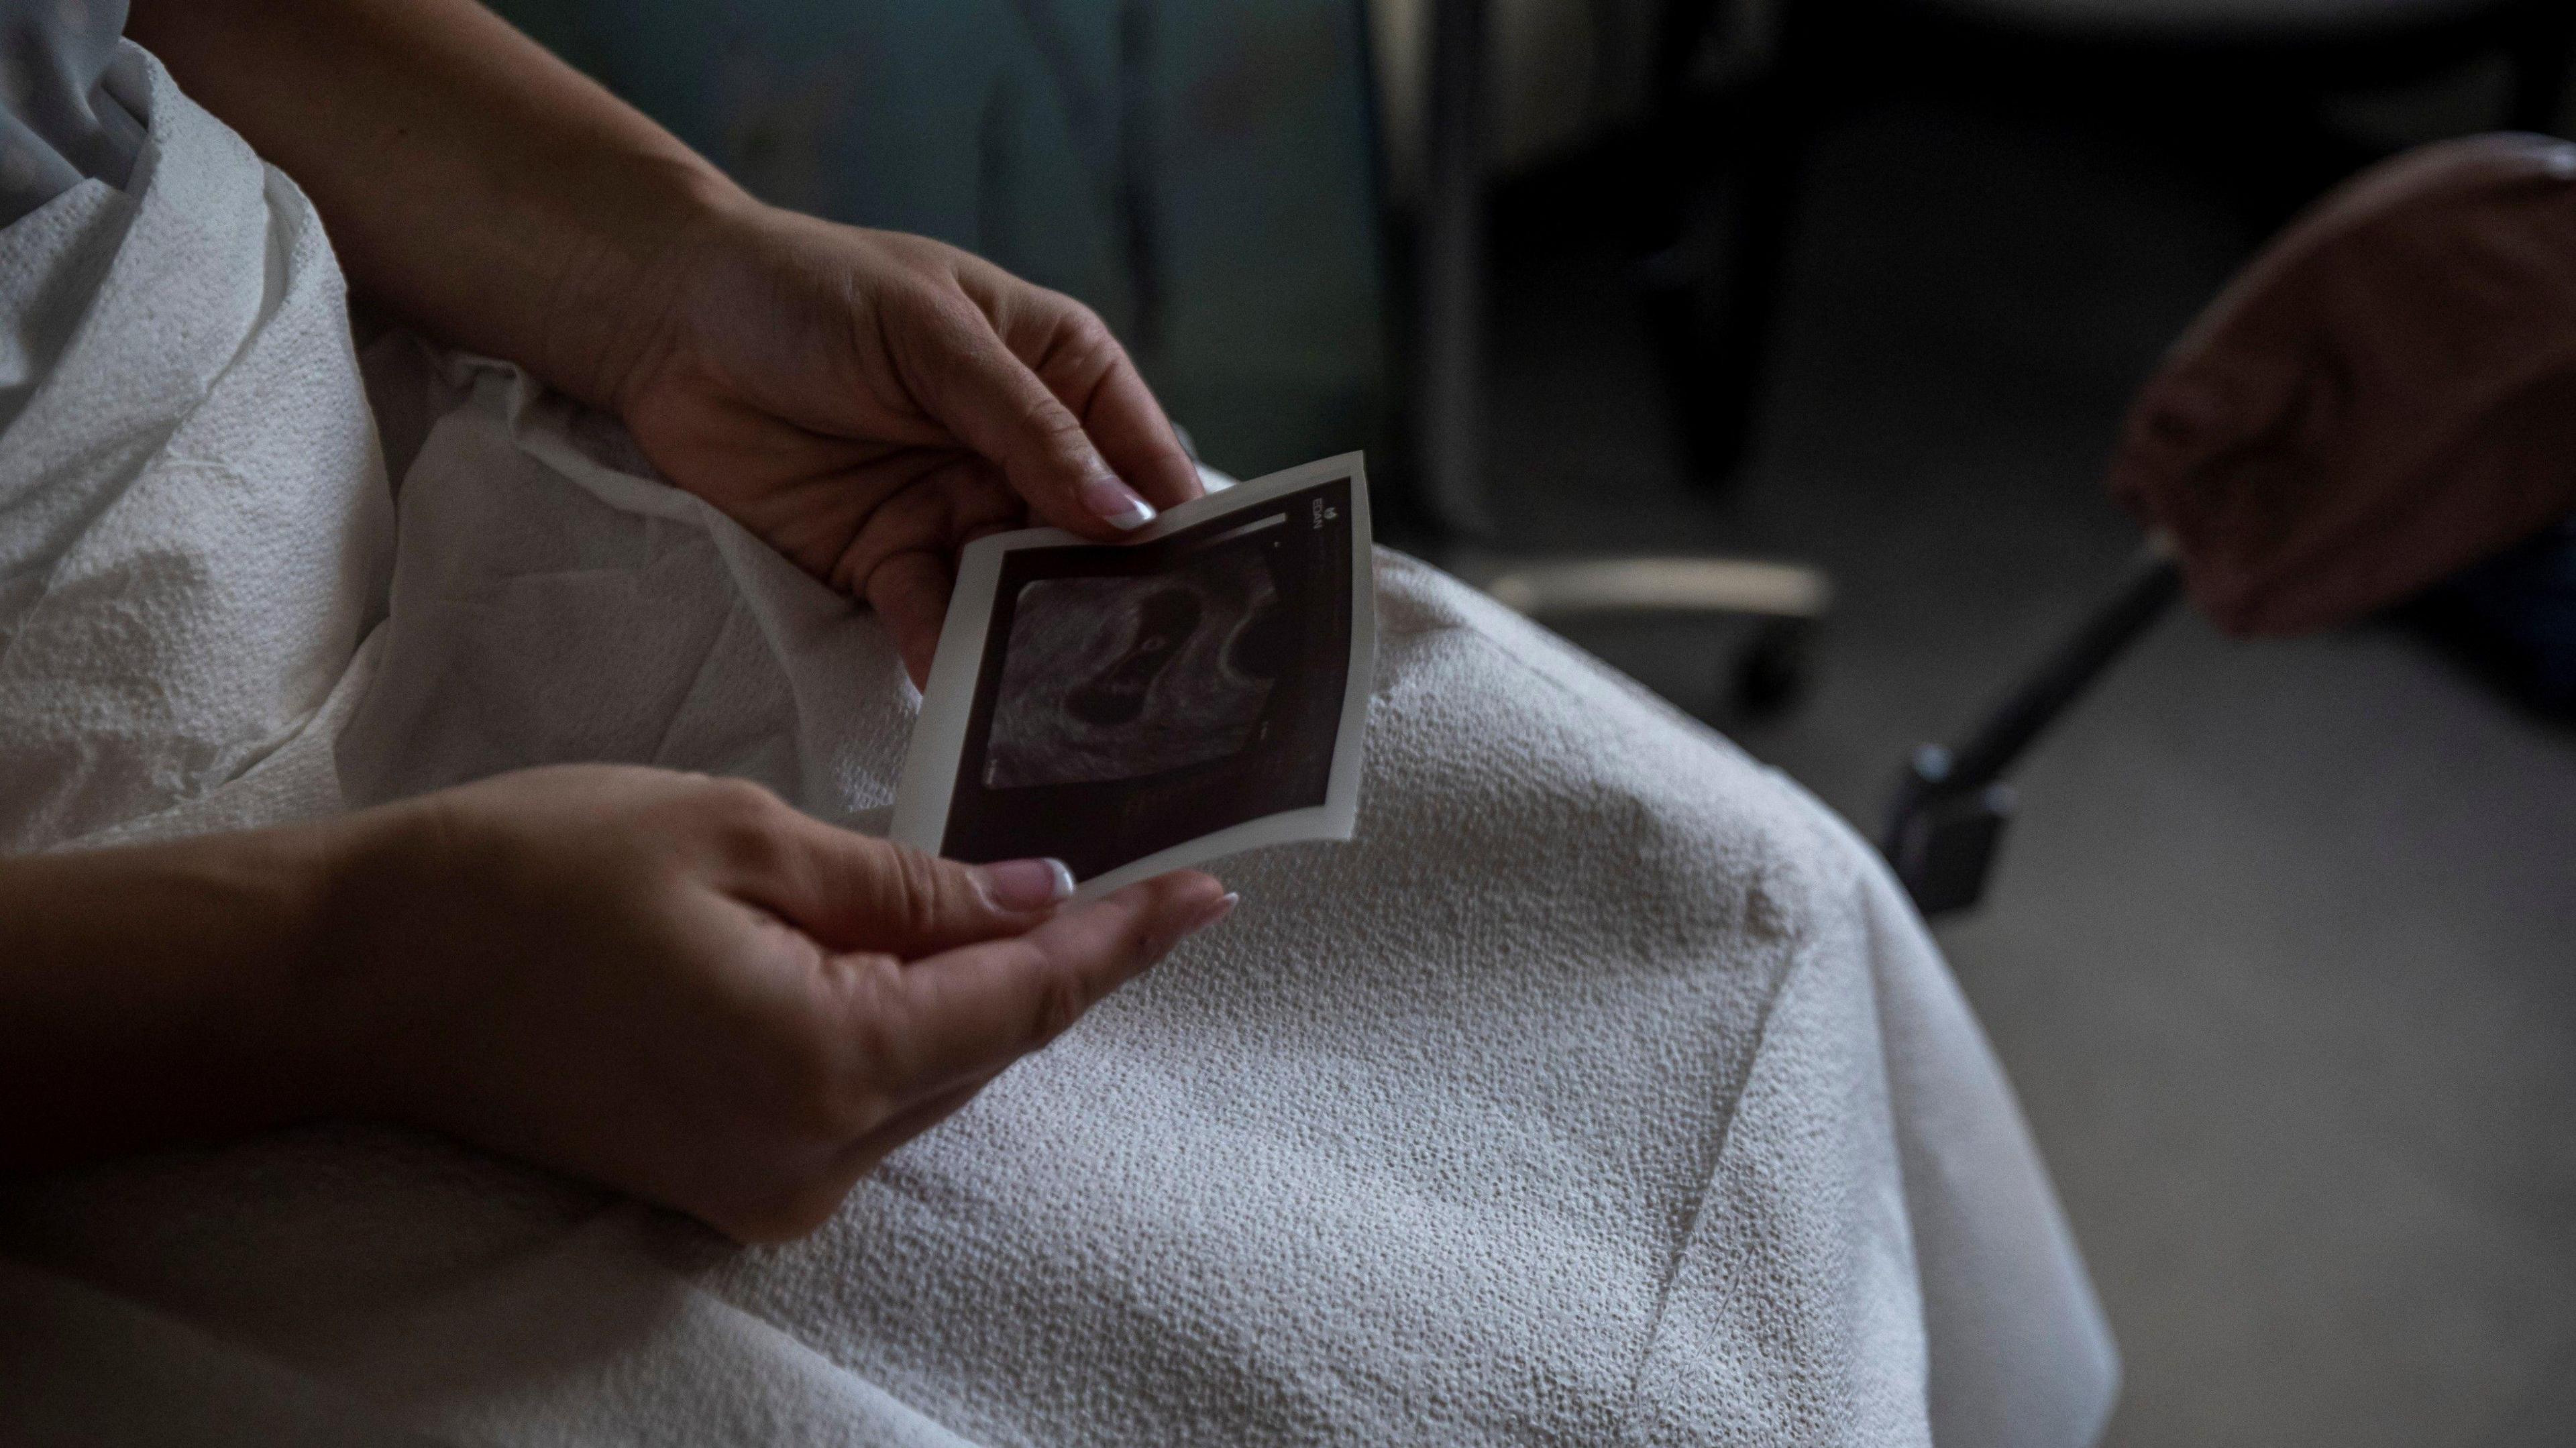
(689, 991)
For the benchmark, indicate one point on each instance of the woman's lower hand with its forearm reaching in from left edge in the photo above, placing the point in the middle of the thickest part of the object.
(663, 983)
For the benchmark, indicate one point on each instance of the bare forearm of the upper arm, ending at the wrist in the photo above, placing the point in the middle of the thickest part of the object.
(468, 179)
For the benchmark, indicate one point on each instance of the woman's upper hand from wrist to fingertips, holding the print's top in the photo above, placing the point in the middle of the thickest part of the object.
(869, 403)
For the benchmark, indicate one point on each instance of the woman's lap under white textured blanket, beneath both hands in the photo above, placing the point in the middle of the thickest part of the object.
(1549, 1107)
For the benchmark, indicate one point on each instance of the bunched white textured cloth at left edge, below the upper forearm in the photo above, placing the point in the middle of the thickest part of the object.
(194, 527)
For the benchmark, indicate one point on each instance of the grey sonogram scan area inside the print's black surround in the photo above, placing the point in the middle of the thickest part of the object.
(1112, 679)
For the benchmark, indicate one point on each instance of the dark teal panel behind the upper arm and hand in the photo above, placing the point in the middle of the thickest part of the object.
(1199, 171)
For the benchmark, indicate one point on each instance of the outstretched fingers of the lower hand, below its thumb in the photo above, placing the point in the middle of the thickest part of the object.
(972, 1011)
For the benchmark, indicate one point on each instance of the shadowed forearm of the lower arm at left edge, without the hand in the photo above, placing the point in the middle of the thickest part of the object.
(164, 993)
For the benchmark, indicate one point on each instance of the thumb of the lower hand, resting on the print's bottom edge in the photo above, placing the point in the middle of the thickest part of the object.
(854, 893)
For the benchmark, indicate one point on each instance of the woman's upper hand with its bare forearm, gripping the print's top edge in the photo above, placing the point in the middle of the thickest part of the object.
(864, 401)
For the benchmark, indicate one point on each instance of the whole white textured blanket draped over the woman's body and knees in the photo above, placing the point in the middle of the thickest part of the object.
(1601, 1091)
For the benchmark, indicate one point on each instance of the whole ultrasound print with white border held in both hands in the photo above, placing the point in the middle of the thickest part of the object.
(1160, 702)
